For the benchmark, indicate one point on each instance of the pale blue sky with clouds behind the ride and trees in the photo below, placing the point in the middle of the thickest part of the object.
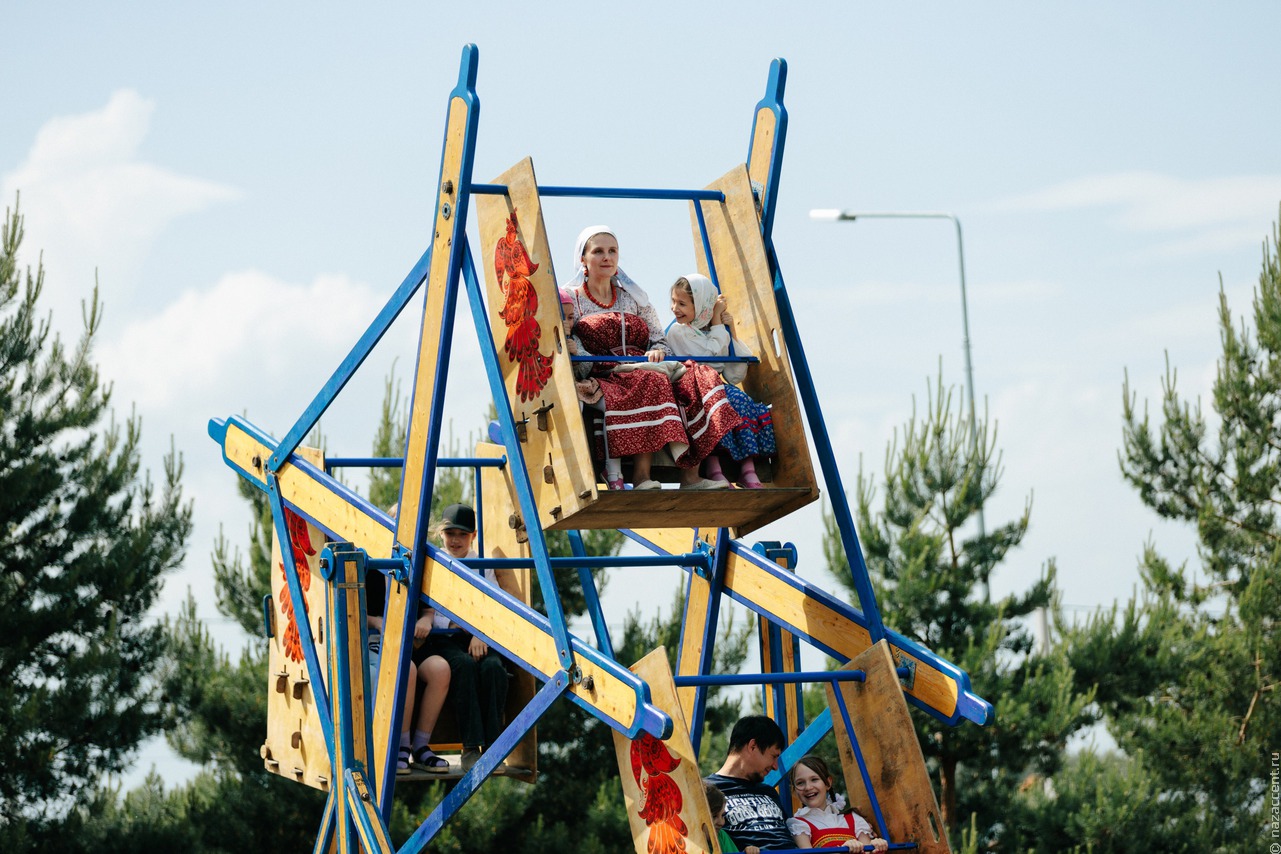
(248, 184)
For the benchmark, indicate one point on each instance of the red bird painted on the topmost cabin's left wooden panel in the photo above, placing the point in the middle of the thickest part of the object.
(513, 267)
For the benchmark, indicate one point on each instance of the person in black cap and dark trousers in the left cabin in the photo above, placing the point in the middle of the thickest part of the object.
(478, 682)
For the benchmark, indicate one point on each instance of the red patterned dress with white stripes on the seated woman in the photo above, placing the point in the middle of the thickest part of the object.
(644, 410)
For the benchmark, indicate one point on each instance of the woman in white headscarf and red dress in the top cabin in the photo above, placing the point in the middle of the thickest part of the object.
(644, 412)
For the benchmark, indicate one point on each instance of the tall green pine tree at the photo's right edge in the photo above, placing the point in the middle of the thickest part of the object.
(1188, 670)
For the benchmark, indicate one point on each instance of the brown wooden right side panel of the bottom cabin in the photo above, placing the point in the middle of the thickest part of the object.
(891, 752)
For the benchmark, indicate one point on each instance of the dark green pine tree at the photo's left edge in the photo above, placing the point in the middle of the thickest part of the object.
(85, 542)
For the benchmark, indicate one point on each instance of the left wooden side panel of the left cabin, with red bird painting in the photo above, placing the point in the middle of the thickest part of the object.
(295, 746)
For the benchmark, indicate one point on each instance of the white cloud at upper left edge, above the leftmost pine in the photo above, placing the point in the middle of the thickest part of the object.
(90, 202)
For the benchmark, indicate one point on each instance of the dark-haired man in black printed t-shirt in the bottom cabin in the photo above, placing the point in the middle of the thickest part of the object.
(753, 814)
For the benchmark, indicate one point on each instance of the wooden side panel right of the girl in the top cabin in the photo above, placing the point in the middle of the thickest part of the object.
(745, 277)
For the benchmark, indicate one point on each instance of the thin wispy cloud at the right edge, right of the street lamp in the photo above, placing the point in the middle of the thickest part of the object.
(1147, 202)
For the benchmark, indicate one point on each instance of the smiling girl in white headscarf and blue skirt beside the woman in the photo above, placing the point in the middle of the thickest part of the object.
(705, 327)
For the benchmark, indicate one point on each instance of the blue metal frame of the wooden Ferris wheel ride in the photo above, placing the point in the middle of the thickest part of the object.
(349, 803)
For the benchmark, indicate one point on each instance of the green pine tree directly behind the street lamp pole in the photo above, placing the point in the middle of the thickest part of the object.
(931, 569)
